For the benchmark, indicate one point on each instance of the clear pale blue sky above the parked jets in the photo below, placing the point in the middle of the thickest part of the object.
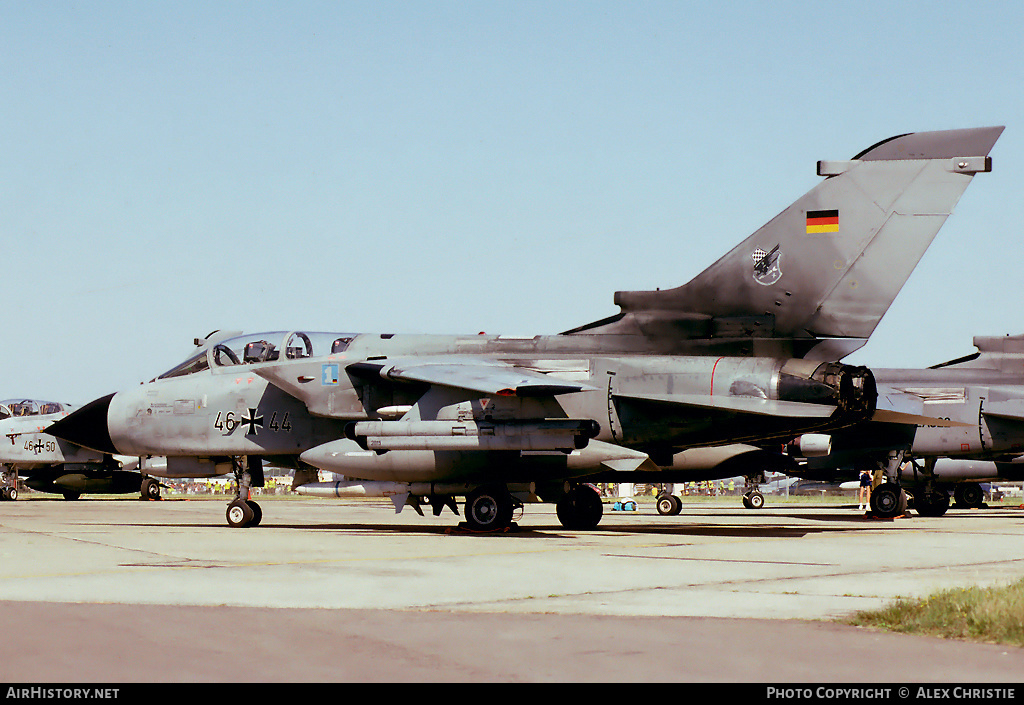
(168, 170)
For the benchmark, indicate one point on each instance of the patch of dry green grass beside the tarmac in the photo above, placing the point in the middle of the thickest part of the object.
(994, 615)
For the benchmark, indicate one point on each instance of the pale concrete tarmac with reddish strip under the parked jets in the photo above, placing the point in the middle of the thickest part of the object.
(122, 591)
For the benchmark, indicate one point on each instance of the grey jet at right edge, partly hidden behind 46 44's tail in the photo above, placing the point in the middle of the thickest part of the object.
(984, 396)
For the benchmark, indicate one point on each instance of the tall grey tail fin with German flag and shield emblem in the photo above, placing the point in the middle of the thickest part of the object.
(830, 266)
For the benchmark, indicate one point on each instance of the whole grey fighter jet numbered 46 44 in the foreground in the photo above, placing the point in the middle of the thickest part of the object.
(743, 353)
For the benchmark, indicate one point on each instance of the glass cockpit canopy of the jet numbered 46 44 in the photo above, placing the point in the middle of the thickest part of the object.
(261, 348)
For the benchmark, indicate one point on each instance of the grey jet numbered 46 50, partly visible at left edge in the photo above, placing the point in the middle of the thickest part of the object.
(51, 465)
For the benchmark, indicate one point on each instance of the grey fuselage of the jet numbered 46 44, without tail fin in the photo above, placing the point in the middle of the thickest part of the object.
(276, 398)
